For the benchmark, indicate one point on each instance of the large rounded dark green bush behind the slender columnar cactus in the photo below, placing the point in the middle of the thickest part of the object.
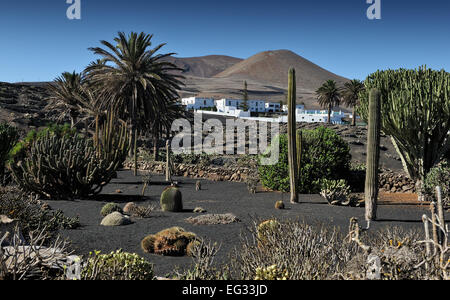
(325, 155)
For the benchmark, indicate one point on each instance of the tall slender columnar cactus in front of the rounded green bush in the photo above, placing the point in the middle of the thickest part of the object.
(292, 148)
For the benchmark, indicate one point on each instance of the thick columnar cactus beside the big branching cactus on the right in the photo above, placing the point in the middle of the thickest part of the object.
(373, 154)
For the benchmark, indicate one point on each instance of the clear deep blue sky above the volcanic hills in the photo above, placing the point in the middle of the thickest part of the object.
(38, 41)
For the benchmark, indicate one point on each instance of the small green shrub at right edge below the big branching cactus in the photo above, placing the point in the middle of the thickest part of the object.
(439, 176)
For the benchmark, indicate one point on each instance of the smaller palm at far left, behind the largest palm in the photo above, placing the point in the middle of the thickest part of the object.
(64, 93)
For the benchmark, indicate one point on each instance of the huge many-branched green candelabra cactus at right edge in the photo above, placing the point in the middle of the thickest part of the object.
(415, 113)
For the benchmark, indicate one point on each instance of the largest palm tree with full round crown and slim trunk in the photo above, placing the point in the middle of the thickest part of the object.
(134, 80)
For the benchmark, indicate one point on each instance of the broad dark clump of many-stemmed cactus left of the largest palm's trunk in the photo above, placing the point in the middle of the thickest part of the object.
(58, 163)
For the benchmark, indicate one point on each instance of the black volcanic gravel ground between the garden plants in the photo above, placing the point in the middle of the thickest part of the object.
(216, 198)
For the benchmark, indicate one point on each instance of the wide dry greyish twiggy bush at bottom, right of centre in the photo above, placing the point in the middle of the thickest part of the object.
(305, 252)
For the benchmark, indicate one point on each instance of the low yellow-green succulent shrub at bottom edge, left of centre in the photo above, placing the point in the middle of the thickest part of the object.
(117, 265)
